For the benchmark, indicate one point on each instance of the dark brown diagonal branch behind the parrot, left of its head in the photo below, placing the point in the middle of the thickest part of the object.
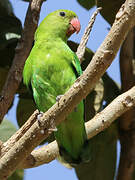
(22, 51)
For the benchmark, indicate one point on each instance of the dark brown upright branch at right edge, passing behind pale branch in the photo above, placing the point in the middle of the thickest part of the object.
(127, 120)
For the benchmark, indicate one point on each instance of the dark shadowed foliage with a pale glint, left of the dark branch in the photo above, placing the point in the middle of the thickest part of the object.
(10, 31)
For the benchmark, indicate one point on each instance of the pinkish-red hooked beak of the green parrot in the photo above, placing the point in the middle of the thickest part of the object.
(74, 26)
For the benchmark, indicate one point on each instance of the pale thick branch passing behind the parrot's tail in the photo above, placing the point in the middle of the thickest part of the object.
(97, 124)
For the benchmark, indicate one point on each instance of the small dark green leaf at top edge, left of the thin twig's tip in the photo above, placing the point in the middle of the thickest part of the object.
(87, 4)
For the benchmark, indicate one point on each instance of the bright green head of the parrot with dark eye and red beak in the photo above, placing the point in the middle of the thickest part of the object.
(60, 23)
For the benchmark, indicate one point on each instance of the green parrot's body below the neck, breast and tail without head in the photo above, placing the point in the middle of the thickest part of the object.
(52, 71)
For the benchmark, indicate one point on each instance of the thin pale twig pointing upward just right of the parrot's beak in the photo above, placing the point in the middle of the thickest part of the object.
(81, 48)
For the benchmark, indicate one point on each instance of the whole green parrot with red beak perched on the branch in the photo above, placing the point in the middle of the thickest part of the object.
(50, 70)
